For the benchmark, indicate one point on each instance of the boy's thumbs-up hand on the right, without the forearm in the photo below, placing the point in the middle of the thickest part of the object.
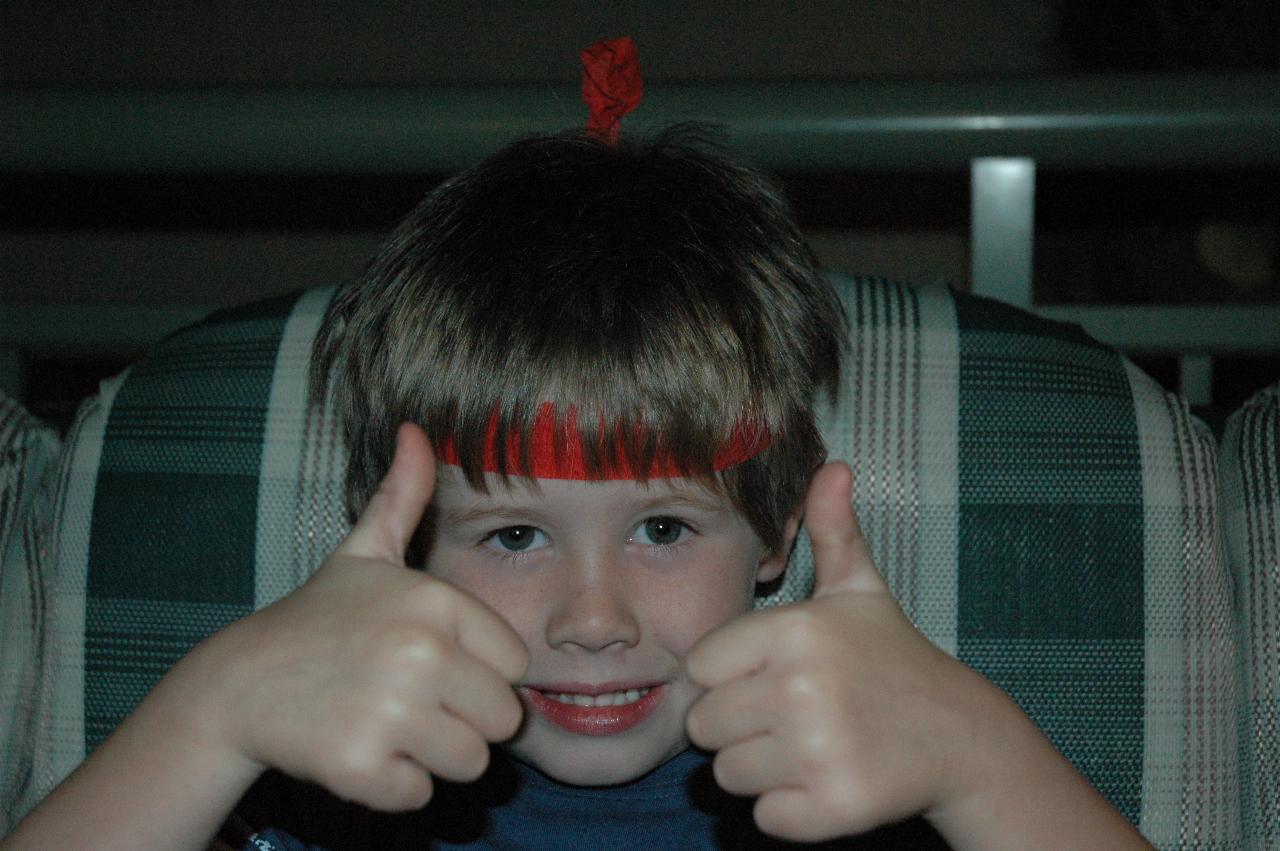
(838, 712)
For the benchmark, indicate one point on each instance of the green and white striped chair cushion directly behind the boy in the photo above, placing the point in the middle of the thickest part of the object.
(1043, 510)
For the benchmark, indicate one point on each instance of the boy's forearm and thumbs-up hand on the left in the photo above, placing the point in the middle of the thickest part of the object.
(369, 680)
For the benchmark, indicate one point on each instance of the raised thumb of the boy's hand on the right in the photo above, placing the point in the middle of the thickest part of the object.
(840, 556)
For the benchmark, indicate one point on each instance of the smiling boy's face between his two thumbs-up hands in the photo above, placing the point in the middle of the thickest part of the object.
(610, 585)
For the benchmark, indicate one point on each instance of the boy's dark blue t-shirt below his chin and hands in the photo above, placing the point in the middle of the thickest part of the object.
(676, 807)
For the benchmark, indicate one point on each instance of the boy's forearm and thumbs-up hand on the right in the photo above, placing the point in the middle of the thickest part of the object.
(842, 717)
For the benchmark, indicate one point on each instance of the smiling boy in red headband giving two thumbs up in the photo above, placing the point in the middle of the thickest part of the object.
(579, 390)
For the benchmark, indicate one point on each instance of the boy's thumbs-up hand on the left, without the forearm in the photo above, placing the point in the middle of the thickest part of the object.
(372, 678)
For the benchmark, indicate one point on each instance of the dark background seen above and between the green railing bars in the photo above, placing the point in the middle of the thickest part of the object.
(209, 240)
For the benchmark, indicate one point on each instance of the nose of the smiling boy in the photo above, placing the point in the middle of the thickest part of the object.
(595, 615)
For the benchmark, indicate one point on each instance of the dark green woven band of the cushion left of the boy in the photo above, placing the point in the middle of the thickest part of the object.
(185, 433)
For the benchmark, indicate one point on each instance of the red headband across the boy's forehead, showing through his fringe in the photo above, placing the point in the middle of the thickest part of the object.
(560, 454)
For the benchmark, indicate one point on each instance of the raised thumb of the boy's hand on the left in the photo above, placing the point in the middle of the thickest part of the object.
(394, 514)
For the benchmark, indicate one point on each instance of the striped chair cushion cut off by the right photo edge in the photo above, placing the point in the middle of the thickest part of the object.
(1251, 519)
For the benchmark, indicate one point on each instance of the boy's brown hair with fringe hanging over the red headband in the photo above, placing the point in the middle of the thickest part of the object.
(659, 295)
